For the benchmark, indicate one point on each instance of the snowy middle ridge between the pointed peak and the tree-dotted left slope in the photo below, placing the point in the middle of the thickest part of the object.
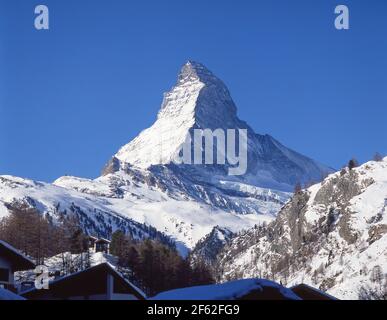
(187, 213)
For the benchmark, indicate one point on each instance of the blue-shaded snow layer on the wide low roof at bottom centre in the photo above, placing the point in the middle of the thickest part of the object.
(225, 291)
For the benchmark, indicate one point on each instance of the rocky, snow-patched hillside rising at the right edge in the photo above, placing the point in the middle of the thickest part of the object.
(332, 235)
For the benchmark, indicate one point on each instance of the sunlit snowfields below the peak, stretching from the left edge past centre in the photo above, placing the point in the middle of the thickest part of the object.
(136, 208)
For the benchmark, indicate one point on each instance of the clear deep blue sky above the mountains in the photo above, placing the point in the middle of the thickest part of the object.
(71, 96)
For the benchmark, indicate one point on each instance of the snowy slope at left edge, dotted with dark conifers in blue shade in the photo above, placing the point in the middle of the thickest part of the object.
(94, 213)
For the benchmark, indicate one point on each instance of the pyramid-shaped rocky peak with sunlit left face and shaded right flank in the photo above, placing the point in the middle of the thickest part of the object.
(200, 100)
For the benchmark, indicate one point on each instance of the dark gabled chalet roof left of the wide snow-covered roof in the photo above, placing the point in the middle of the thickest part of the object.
(82, 279)
